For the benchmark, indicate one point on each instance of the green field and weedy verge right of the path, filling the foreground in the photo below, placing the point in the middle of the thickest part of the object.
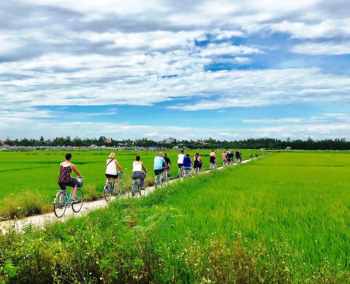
(279, 219)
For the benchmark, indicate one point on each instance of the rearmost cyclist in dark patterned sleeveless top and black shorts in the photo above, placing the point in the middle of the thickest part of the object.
(64, 179)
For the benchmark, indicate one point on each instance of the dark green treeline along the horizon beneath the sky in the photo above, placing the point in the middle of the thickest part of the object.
(252, 143)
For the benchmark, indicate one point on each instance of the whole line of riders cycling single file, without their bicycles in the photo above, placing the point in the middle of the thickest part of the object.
(161, 165)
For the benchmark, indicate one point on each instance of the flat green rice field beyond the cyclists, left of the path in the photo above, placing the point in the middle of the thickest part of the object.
(38, 170)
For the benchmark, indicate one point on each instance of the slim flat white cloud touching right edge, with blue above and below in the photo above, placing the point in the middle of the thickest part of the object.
(326, 48)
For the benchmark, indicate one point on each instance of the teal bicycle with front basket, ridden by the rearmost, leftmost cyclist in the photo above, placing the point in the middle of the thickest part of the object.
(62, 201)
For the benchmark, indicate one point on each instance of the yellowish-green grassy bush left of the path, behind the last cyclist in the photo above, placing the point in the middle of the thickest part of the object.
(25, 204)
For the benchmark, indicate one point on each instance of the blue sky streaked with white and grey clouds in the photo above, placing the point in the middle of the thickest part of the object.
(186, 69)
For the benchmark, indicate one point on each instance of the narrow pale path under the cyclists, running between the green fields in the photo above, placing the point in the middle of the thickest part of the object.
(41, 220)
